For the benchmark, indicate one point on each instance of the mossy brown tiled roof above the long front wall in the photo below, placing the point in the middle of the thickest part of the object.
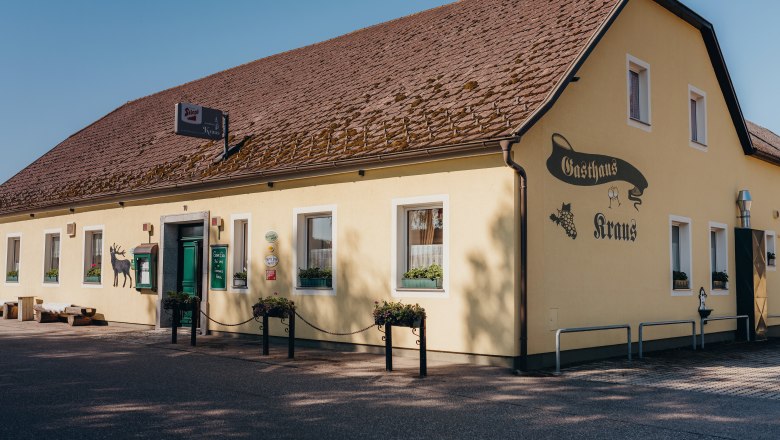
(467, 71)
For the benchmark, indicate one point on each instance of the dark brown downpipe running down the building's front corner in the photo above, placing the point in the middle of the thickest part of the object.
(522, 278)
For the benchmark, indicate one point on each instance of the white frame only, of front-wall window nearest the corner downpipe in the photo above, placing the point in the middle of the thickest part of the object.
(398, 245)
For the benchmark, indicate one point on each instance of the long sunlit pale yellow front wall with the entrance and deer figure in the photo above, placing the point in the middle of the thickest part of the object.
(476, 315)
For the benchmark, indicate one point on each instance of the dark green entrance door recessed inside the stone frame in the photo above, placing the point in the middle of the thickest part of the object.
(190, 271)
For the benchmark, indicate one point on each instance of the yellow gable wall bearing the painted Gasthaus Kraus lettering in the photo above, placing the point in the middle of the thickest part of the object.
(588, 281)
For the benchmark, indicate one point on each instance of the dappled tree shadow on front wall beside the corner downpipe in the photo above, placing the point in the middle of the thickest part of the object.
(490, 297)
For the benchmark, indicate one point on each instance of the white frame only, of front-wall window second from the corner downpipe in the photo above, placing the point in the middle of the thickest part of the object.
(299, 248)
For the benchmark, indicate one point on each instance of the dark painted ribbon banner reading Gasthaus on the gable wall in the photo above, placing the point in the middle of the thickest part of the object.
(584, 169)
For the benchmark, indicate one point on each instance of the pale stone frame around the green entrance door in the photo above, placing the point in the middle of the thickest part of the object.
(169, 245)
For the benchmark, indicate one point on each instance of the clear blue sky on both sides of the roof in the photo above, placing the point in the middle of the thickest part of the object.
(66, 64)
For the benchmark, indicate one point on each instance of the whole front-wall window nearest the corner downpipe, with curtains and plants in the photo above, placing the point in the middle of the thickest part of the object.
(420, 245)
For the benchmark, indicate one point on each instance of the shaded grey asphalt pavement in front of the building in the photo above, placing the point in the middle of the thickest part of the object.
(115, 382)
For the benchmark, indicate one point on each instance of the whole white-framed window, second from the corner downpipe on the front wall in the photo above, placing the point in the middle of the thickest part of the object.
(315, 250)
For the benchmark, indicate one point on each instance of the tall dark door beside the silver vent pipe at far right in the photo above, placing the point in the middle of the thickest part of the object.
(750, 258)
